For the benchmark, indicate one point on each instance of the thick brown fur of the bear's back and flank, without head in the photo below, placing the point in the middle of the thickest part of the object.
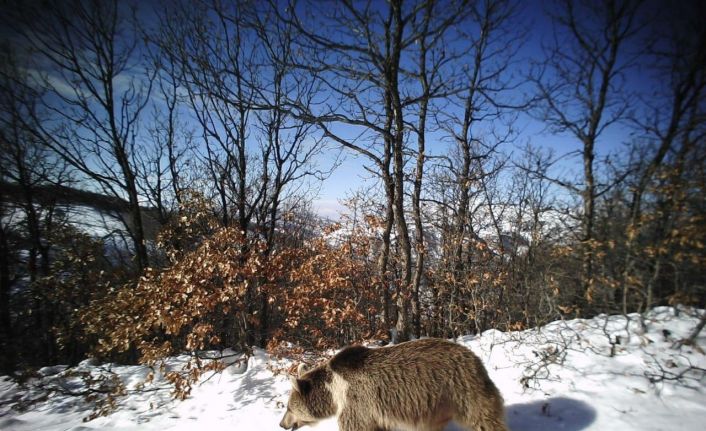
(404, 381)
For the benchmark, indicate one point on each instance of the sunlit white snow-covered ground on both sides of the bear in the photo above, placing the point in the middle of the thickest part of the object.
(559, 377)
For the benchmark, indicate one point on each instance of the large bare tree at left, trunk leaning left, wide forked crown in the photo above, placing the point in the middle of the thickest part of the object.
(99, 87)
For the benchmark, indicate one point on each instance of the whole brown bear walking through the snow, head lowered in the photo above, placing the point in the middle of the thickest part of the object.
(417, 385)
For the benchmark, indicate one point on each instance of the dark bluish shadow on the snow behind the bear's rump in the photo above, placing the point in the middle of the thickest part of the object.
(557, 413)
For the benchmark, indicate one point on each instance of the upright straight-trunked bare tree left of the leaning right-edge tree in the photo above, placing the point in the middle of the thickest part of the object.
(578, 90)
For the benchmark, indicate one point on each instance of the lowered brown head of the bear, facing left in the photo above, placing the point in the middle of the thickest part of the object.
(310, 399)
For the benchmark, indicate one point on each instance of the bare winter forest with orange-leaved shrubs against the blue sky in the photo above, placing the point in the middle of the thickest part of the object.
(523, 162)
